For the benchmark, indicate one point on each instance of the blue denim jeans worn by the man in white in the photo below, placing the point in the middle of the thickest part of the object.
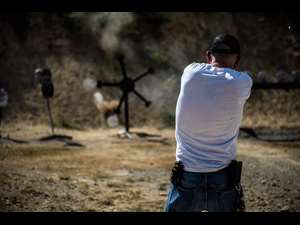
(202, 192)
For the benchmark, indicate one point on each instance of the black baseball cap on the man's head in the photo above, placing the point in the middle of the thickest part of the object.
(225, 44)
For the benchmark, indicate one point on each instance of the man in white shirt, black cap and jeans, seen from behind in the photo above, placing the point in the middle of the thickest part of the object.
(206, 175)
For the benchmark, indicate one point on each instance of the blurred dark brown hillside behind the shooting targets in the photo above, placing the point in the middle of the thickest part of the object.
(77, 45)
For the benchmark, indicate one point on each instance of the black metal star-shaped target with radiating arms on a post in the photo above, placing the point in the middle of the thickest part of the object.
(127, 86)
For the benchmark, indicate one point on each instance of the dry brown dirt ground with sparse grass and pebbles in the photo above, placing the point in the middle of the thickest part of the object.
(111, 174)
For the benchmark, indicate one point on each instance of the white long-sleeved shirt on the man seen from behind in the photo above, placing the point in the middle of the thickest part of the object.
(208, 116)
